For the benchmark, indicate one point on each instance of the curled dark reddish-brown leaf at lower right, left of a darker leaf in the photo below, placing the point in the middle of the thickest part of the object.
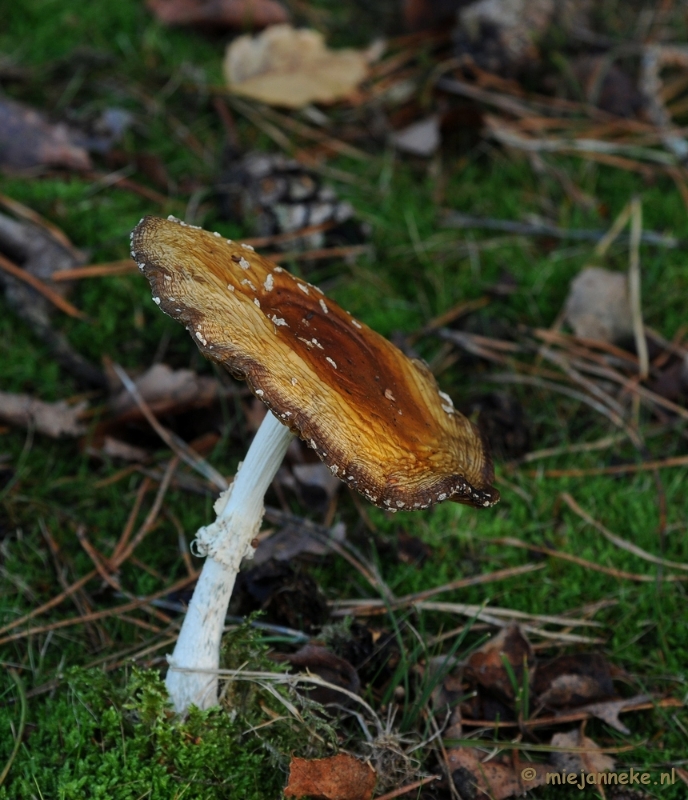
(486, 665)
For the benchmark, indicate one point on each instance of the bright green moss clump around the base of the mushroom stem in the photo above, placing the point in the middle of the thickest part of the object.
(96, 739)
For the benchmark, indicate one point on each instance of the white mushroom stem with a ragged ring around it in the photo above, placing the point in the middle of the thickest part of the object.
(192, 677)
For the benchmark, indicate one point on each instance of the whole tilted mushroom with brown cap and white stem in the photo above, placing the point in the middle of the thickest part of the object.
(375, 417)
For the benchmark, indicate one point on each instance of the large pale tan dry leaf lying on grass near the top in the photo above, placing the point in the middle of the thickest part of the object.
(287, 67)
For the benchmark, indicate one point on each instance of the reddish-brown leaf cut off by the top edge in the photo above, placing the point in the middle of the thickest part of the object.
(241, 14)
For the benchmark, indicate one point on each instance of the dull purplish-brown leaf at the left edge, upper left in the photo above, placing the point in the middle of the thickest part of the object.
(28, 140)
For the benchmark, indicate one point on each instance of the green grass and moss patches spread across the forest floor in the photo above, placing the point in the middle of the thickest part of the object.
(92, 736)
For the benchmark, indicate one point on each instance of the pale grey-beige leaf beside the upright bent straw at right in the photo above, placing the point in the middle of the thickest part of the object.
(598, 305)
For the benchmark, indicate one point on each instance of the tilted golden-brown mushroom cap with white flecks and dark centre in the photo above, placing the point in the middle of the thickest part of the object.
(374, 416)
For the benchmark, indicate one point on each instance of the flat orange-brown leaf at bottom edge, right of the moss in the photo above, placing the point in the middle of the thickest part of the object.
(341, 777)
